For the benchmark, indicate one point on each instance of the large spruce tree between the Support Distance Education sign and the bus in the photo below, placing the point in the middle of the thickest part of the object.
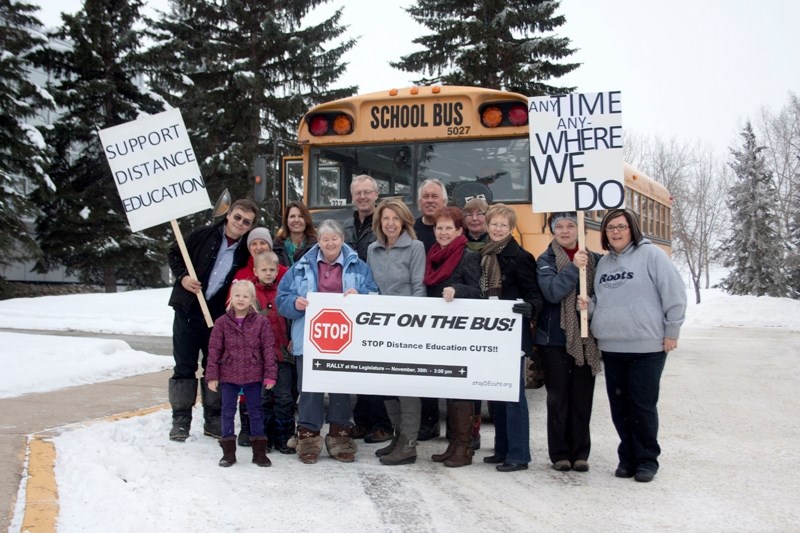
(243, 72)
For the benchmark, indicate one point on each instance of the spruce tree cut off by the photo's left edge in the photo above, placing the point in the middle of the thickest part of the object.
(23, 153)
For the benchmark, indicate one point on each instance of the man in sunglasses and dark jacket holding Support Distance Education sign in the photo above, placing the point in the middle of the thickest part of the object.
(217, 252)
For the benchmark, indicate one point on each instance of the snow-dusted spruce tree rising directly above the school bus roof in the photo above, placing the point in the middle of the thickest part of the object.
(498, 44)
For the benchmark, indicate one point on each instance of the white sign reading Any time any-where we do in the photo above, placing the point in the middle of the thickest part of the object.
(576, 152)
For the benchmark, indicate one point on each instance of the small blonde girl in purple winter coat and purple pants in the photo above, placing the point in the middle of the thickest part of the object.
(241, 357)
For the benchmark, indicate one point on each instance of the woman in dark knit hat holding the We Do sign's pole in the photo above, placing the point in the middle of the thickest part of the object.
(570, 362)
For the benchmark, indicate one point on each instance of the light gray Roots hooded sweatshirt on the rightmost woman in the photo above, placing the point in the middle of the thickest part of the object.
(639, 298)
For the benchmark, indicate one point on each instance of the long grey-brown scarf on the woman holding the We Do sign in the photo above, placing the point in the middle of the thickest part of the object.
(582, 349)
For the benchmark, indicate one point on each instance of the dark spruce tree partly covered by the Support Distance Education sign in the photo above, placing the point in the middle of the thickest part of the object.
(83, 224)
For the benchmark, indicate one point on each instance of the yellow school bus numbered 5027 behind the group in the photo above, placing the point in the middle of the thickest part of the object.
(471, 139)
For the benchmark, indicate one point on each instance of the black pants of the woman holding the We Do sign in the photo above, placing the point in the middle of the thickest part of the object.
(570, 391)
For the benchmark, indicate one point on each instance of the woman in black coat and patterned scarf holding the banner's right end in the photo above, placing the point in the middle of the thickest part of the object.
(508, 272)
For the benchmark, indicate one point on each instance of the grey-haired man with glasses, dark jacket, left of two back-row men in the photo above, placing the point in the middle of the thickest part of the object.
(369, 414)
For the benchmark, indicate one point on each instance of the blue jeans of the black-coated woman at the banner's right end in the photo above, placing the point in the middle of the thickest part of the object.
(512, 438)
